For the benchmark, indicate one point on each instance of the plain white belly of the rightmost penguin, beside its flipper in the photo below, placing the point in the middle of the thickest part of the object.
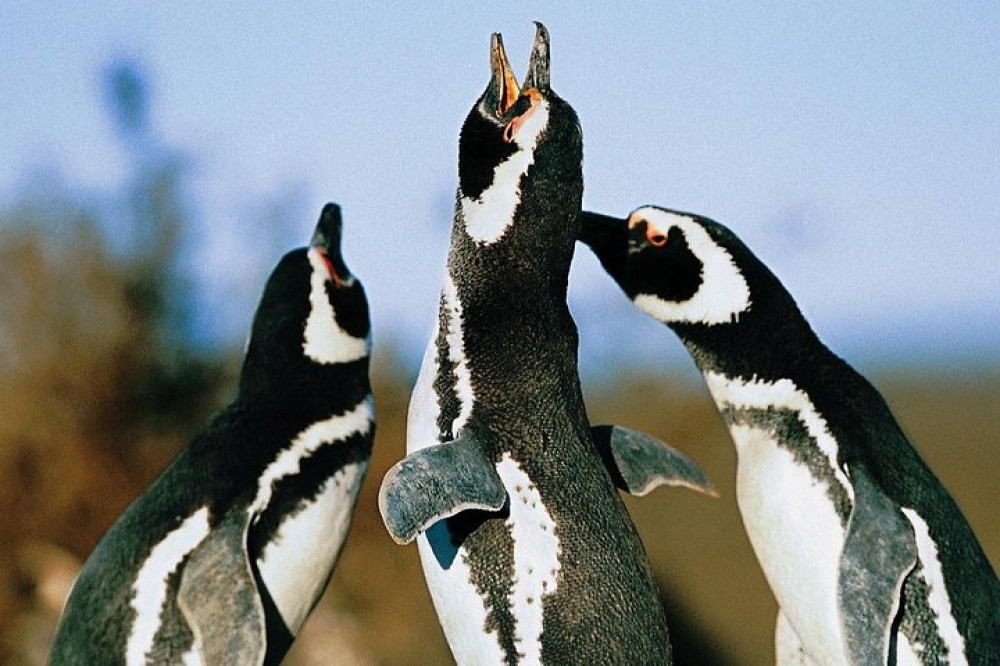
(797, 536)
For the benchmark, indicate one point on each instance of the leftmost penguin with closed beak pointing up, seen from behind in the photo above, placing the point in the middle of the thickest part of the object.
(224, 557)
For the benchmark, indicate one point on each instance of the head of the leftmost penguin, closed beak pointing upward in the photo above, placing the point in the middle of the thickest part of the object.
(313, 312)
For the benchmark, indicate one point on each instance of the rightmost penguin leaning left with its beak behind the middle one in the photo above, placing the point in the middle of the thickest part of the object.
(869, 557)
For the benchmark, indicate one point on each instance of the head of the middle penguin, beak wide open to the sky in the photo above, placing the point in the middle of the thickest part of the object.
(515, 134)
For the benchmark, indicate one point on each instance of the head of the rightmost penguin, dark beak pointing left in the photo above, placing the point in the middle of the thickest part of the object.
(677, 267)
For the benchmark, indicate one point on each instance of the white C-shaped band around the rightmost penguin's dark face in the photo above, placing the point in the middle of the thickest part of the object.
(723, 293)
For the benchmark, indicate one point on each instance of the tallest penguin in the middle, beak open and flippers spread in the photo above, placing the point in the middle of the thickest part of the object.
(527, 548)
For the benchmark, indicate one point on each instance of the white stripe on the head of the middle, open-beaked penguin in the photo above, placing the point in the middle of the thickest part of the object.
(488, 217)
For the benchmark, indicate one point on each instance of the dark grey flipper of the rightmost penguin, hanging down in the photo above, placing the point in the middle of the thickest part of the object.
(879, 552)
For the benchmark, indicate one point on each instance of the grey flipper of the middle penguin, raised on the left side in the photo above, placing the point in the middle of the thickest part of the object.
(438, 482)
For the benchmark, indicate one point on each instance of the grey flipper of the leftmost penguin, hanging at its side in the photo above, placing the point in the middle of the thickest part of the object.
(218, 597)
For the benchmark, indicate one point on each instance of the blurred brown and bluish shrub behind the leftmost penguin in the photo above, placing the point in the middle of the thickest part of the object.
(98, 390)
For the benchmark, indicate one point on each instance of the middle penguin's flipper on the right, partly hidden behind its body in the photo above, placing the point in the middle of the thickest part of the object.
(639, 462)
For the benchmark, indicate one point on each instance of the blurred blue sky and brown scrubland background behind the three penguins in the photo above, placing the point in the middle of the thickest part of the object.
(156, 161)
